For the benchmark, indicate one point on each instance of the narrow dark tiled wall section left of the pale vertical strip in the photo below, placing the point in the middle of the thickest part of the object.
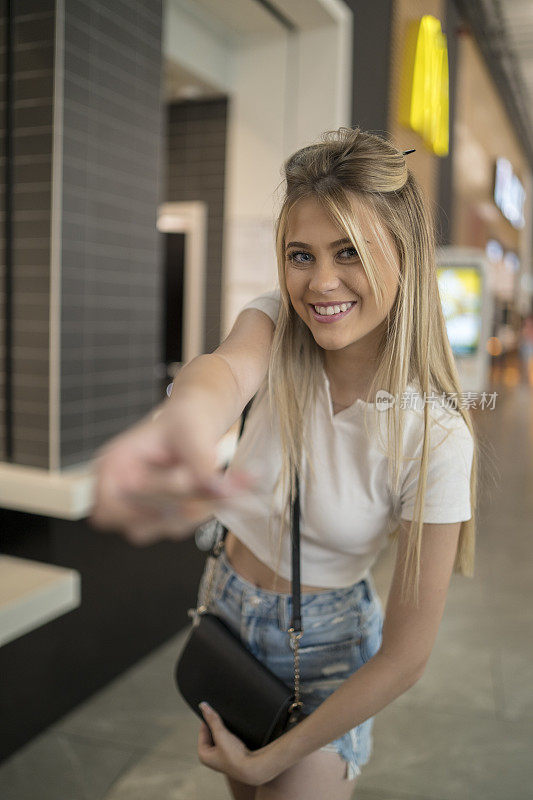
(33, 60)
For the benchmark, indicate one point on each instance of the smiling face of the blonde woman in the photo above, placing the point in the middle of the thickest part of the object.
(320, 269)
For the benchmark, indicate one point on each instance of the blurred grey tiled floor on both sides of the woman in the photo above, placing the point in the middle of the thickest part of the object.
(463, 732)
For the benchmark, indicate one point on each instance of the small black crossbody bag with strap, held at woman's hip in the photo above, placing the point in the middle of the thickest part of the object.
(215, 665)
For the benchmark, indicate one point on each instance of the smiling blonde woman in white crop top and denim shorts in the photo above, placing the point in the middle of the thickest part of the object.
(354, 385)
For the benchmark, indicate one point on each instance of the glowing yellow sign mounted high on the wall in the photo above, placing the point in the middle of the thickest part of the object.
(424, 88)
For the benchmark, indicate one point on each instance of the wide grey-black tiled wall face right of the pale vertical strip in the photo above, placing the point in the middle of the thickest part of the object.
(111, 282)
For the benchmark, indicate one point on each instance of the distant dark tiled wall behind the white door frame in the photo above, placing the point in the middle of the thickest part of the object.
(196, 153)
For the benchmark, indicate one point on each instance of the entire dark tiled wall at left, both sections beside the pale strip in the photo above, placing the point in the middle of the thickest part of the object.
(110, 268)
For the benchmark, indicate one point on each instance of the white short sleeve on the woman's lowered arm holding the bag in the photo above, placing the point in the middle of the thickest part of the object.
(447, 497)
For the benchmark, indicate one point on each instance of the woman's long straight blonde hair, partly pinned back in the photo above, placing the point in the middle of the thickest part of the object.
(414, 348)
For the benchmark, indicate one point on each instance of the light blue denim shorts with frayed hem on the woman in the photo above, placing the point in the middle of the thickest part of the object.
(342, 631)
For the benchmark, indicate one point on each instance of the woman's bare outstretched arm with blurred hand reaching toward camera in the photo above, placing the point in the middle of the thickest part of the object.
(152, 481)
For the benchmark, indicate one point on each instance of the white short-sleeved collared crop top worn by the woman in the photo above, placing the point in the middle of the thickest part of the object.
(345, 516)
